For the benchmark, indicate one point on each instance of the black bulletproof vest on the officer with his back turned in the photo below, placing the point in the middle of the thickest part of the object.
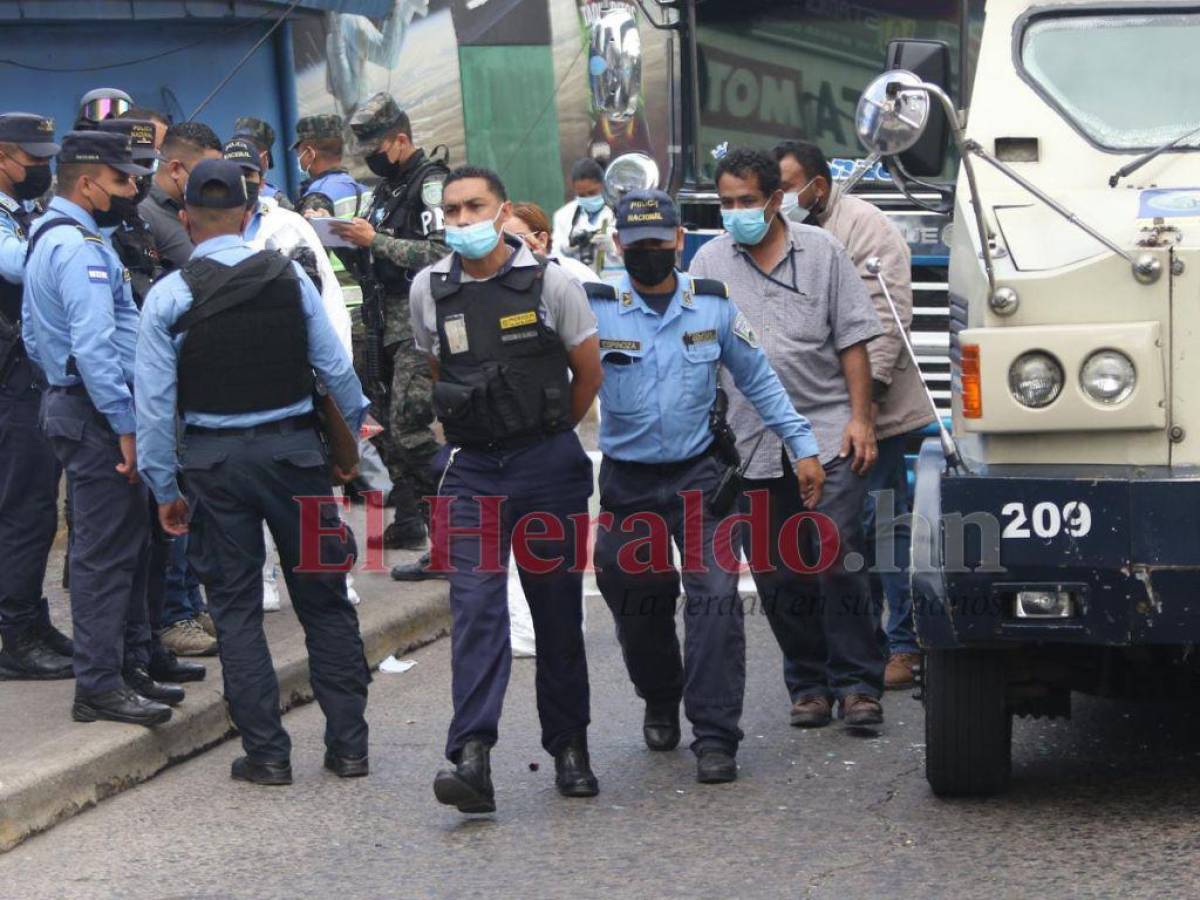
(247, 349)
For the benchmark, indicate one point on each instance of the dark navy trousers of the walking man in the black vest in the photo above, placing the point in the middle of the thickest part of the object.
(553, 477)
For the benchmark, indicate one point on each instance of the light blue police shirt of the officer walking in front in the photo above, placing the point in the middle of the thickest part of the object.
(661, 376)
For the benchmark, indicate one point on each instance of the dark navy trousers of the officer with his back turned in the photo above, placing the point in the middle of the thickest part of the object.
(235, 483)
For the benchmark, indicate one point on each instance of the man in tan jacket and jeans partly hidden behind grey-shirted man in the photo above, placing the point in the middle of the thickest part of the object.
(899, 400)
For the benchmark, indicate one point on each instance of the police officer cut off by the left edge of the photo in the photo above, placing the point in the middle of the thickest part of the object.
(29, 475)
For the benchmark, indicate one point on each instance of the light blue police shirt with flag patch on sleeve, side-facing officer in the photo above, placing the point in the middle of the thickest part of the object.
(79, 307)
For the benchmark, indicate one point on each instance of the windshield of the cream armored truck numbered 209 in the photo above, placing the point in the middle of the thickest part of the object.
(1127, 81)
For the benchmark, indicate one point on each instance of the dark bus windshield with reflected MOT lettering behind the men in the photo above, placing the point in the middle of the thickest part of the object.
(788, 70)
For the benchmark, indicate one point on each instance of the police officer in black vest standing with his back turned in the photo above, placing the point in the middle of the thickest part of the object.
(231, 345)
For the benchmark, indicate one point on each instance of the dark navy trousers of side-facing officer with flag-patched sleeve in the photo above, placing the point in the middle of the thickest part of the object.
(110, 544)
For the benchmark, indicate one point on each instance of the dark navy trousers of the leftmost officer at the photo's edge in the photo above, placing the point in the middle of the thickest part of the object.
(29, 487)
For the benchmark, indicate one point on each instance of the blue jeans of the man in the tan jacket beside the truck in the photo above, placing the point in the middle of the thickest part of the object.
(891, 475)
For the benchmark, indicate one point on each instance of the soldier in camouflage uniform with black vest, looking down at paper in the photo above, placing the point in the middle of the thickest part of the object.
(403, 235)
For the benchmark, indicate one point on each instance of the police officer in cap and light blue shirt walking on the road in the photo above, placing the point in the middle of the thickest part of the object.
(663, 337)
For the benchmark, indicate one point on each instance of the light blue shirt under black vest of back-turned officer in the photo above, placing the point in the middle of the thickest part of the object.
(158, 370)
